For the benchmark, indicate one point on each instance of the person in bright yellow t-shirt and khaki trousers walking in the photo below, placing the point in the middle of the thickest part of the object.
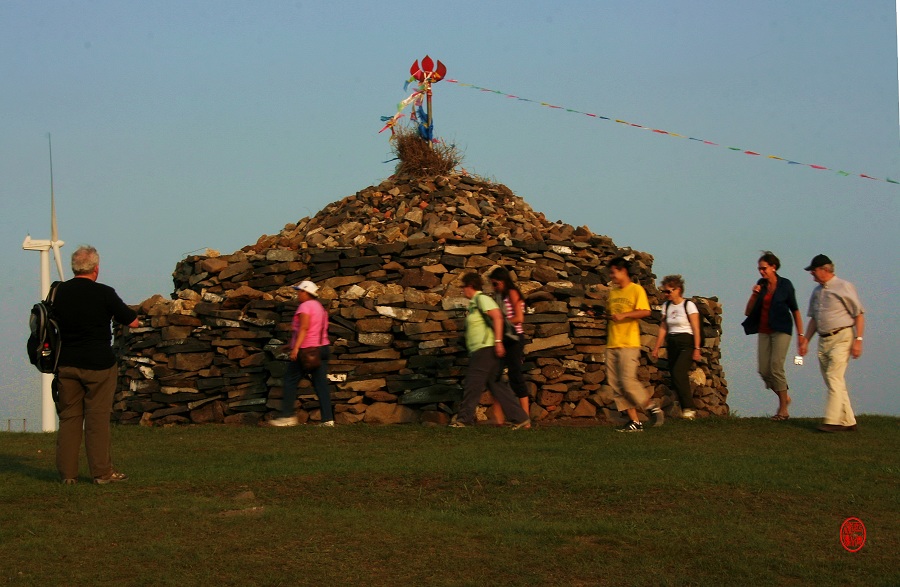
(627, 305)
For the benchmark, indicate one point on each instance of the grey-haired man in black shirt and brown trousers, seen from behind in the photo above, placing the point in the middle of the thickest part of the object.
(87, 368)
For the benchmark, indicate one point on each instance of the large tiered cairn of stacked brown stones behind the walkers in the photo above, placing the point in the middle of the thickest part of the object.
(388, 261)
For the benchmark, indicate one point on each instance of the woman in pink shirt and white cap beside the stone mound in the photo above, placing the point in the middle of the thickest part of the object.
(310, 331)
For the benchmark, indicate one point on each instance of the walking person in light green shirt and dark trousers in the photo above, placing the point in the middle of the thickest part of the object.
(484, 341)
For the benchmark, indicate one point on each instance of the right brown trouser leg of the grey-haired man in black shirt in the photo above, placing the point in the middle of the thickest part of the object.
(100, 389)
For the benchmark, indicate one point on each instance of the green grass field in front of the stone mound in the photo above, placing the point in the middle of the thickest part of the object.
(737, 501)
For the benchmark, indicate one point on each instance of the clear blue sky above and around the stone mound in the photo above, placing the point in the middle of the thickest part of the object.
(179, 126)
